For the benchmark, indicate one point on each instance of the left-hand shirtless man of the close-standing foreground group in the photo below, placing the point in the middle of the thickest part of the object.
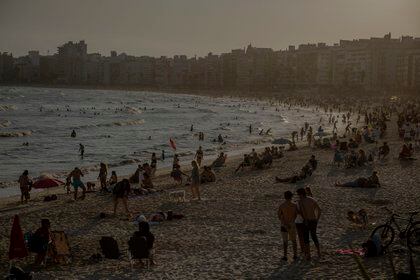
(287, 214)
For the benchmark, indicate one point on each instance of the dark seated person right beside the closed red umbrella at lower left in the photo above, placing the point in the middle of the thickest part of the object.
(41, 240)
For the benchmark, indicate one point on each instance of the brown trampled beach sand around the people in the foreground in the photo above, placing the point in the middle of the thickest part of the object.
(234, 232)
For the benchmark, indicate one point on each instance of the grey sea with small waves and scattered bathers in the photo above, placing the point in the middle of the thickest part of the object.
(123, 128)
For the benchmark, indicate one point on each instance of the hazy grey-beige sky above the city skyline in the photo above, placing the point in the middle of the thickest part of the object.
(197, 27)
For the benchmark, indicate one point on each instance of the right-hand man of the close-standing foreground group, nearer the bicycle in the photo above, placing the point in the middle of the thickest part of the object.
(310, 212)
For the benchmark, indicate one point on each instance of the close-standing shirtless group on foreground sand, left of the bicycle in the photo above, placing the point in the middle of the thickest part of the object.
(299, 219)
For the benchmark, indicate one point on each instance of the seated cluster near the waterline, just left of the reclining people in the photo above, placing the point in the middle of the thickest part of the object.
(260, 161)
